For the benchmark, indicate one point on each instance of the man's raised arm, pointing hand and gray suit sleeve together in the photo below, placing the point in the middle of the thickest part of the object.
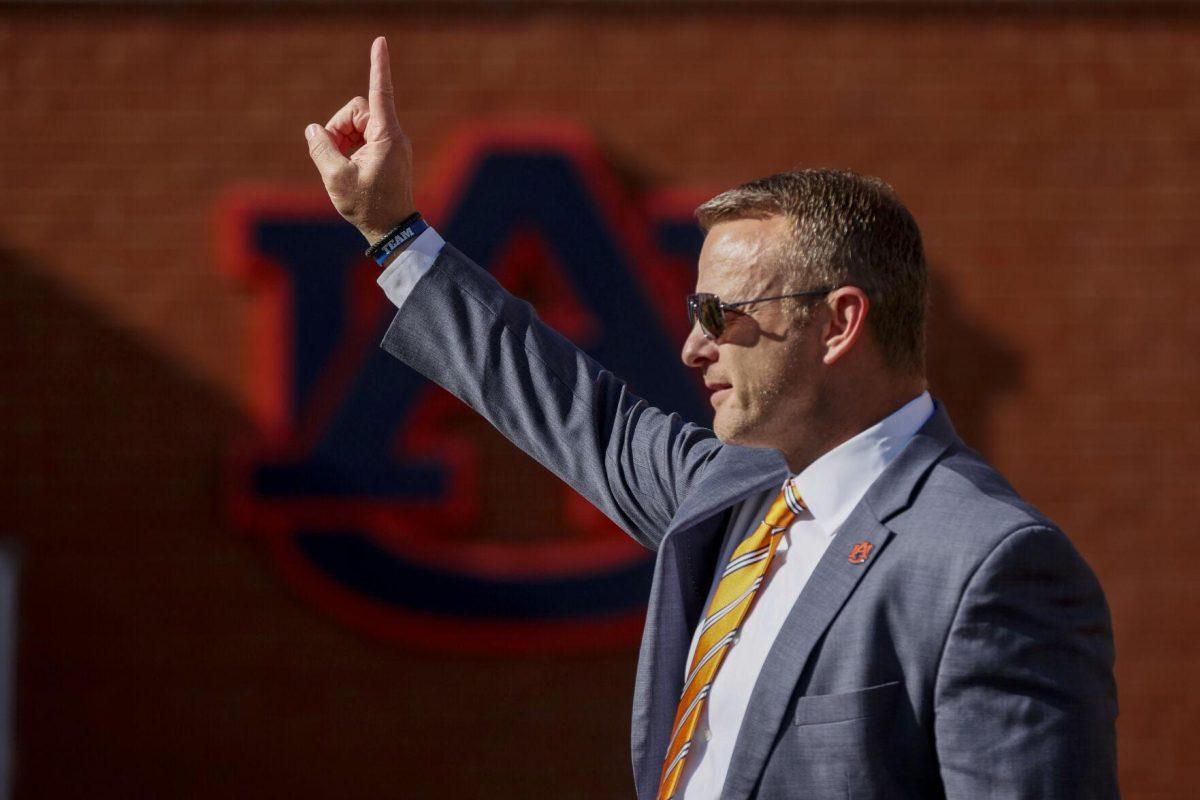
(460, 329)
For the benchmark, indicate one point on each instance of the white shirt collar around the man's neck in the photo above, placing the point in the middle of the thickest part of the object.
(837, 482)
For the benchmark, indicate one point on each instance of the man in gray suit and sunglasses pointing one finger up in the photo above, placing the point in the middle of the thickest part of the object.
(848, 601)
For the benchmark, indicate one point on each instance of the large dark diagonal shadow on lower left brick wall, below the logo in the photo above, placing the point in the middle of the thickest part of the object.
(160, 657)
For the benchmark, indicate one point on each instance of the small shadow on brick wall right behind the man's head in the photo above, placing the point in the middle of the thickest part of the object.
(970, 369)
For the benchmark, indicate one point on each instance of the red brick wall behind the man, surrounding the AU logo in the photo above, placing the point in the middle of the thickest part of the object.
(1052, 160)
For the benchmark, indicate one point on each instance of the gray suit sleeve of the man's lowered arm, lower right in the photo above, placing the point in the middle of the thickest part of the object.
(1025, 701)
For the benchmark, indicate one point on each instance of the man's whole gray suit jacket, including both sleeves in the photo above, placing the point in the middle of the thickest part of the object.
(970, 657)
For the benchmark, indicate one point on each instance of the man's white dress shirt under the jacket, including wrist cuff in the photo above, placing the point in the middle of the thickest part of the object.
(831, 489)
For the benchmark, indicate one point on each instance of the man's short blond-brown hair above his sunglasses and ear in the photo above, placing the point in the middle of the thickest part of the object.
(847, 230)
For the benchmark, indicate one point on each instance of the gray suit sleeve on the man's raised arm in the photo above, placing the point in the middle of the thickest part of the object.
(463, 330)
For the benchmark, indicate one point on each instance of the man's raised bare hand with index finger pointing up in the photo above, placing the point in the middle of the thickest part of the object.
(373, 187)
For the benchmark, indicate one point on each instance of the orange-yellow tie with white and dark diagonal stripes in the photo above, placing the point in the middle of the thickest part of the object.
(731, 604)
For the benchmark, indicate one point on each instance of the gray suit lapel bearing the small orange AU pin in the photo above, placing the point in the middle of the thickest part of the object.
(857, 545)
